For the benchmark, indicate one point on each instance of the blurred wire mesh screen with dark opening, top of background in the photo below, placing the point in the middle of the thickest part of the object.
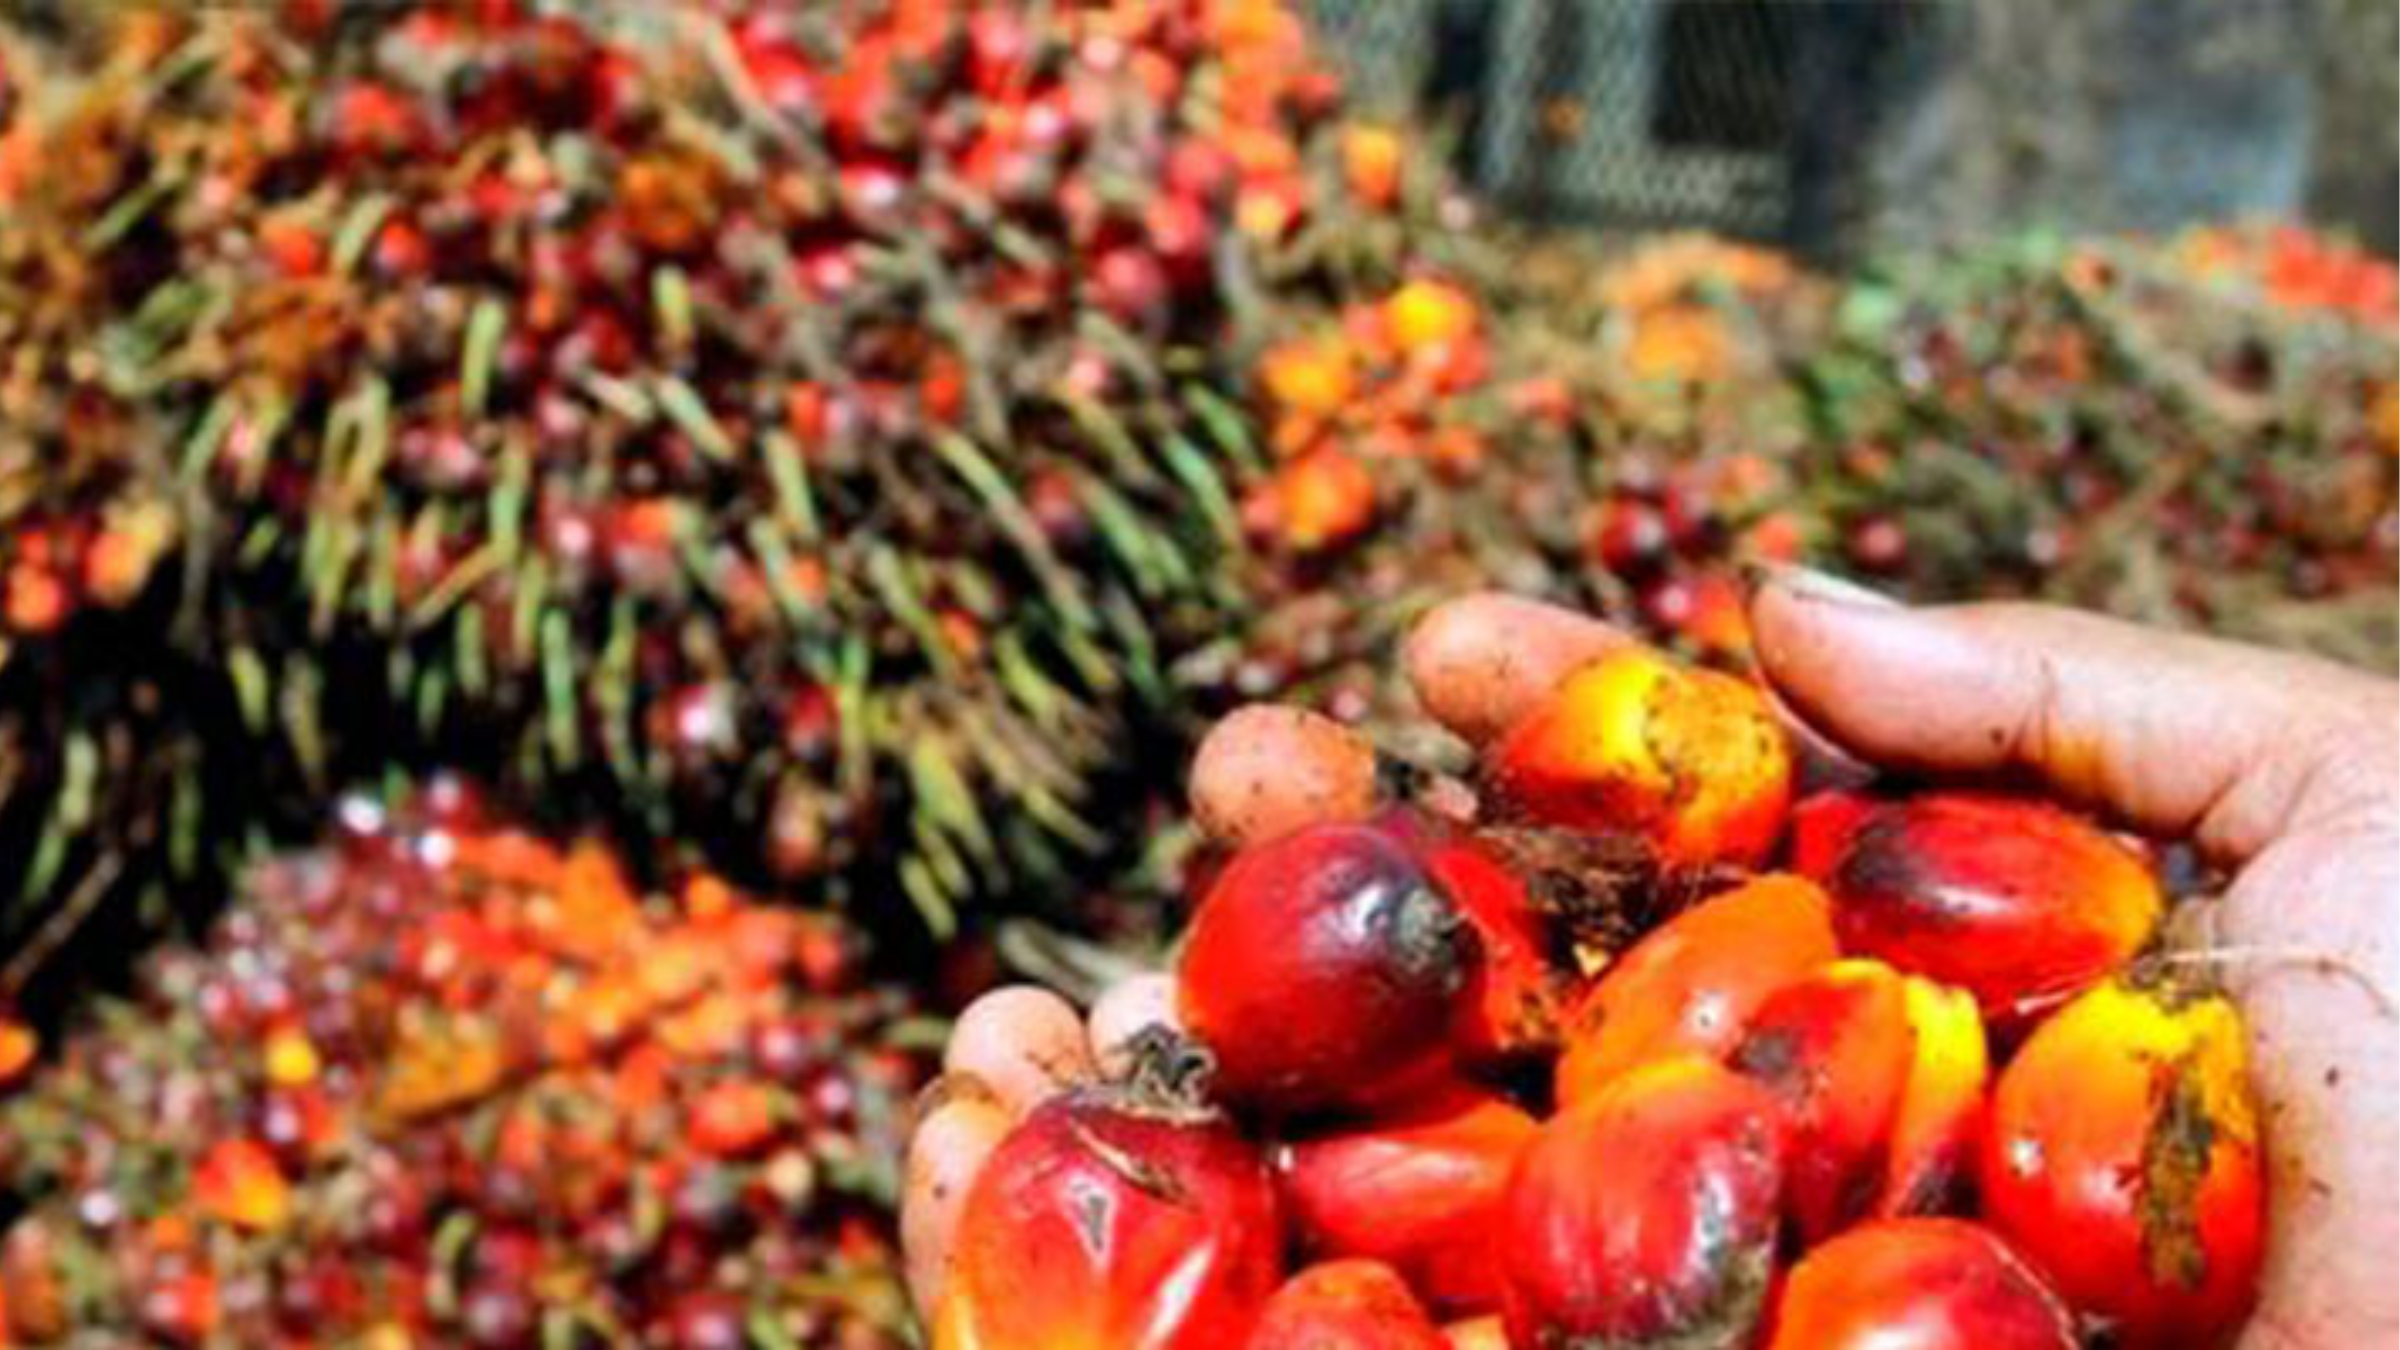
(1631, 112)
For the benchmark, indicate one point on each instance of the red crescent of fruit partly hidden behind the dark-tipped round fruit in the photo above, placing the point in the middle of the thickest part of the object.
(1518, 993)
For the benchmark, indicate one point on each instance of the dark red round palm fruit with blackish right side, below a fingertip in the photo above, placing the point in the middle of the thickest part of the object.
(1324, 972)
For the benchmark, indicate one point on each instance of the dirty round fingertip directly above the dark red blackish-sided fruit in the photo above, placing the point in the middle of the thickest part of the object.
(1266, 772)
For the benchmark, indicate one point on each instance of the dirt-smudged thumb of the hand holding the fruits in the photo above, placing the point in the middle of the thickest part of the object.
(2173, 734)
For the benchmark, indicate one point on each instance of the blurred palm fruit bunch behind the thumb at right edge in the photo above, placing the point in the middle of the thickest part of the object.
(2190, 431)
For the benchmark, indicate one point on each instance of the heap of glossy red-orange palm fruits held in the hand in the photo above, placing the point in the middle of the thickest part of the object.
(1640, 1051)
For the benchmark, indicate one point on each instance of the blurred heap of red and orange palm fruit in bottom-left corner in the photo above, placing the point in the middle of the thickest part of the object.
(443, 1082)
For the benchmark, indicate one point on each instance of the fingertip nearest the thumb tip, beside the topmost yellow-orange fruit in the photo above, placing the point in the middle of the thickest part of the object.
(1480, 662)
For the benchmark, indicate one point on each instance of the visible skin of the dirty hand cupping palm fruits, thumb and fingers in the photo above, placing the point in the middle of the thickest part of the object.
(2279, 767)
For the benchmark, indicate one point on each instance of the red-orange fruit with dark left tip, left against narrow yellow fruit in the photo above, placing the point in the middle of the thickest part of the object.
(1835, 1051)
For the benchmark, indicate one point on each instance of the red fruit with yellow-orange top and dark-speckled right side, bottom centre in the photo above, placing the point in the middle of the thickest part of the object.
(1645, 1217)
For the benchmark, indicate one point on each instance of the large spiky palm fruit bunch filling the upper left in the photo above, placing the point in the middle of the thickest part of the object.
(815, 434)
